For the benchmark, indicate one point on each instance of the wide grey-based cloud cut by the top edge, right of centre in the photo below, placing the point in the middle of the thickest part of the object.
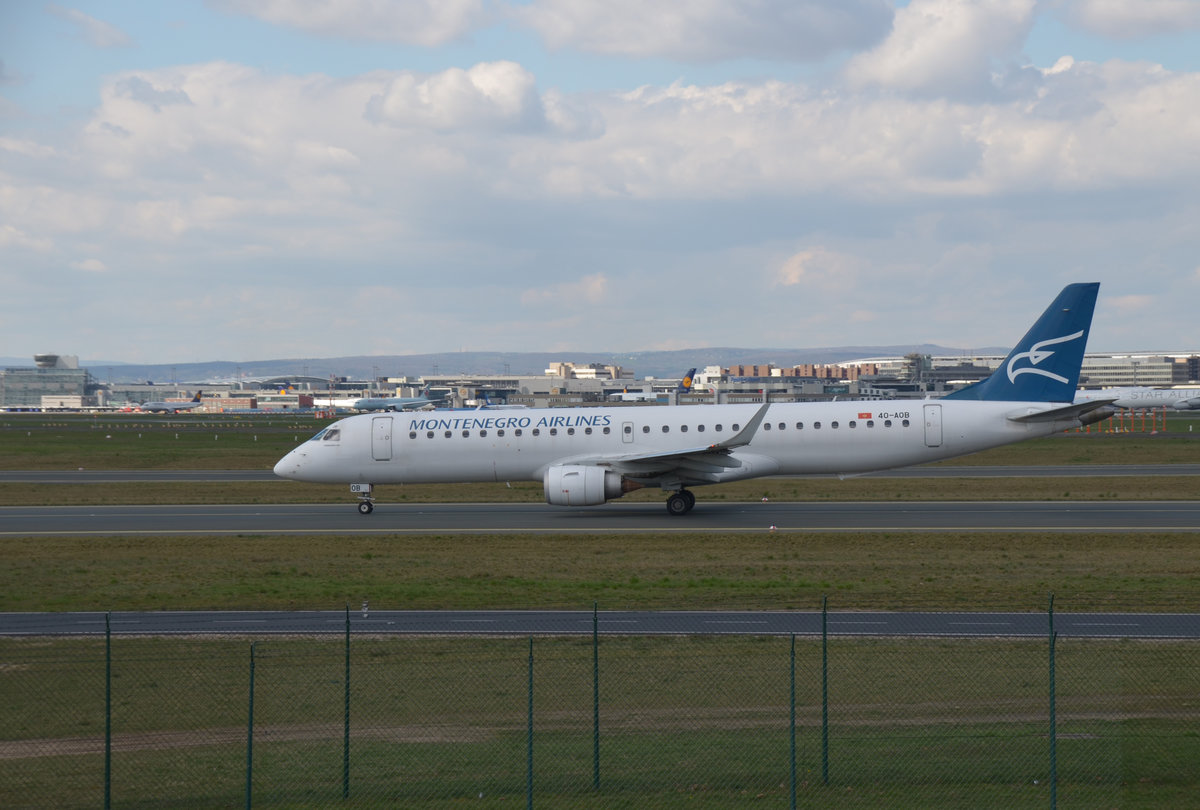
(709, 31)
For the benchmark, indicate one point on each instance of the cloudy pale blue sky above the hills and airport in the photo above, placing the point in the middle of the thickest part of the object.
(261, 179)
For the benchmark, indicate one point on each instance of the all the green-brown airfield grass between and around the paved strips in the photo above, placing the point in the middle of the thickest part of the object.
(687, 722)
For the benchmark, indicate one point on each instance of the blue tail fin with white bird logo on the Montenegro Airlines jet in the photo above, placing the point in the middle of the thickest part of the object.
(1045, 367)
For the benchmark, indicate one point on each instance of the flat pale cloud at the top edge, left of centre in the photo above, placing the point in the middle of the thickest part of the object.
(413, 22)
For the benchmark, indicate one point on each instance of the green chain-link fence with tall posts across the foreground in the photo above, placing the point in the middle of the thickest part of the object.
(598, 722)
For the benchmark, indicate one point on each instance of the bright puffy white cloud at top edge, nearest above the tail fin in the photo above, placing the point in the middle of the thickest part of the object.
(945, 47)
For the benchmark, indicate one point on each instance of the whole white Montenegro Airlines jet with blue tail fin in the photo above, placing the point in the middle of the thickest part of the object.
(589, 457)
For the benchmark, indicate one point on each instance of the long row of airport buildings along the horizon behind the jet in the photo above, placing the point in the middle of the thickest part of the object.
(56, 382)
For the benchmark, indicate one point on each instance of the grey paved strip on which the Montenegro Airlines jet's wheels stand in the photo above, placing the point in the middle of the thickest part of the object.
(614, 518)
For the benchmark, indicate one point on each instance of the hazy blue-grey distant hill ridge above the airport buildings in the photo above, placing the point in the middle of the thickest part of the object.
(643, 364)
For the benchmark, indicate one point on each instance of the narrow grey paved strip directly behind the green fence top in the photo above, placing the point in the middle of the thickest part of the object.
(643, 623)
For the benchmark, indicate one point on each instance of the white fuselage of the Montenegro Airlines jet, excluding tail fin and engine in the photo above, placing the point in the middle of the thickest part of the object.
(795, 439)
